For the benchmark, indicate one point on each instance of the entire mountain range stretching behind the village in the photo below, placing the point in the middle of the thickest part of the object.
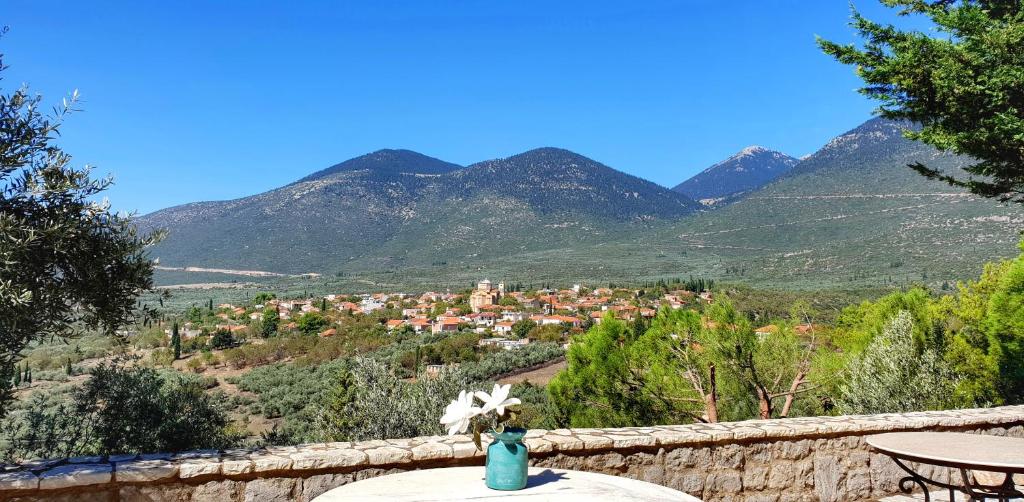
(850, 215)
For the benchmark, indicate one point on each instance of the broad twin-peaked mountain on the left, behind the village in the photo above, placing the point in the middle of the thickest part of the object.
(395, 208)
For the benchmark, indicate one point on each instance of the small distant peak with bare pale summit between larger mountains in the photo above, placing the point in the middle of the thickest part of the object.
(750, 170)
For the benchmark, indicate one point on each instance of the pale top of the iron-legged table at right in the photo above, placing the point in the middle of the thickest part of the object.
(955, 449)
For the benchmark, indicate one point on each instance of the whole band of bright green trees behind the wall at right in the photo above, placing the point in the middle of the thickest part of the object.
(909, 351)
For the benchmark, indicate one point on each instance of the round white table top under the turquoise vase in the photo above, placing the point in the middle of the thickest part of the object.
(467, 484)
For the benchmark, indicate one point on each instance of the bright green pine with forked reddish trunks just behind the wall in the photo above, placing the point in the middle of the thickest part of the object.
(686, 368)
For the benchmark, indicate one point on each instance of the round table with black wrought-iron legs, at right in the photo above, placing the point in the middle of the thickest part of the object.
(959, 451)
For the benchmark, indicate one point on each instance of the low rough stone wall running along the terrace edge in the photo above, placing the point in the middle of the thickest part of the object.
(797, 459)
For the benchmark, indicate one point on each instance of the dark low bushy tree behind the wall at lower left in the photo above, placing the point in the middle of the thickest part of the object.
(120, 409)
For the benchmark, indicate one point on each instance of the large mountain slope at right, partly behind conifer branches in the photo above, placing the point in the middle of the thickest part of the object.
(854, 214)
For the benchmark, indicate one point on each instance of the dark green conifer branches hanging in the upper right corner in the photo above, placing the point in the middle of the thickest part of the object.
(964, 87)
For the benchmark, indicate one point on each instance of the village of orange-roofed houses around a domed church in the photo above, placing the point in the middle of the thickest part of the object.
(506, 319)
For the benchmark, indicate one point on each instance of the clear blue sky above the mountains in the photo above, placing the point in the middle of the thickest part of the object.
(206, 101)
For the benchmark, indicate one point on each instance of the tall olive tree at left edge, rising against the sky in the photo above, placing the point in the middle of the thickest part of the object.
(68, 263)
